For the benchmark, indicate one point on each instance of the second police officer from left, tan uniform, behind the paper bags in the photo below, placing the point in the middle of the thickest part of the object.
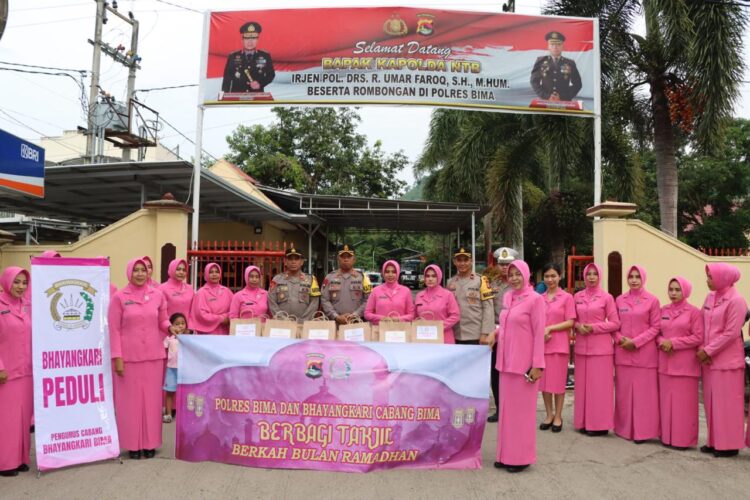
(344, 293)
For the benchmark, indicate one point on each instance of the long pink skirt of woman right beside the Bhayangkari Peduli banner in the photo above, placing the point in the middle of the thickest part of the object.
(138, 398)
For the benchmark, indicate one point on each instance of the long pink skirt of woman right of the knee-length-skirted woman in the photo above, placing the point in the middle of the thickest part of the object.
(593, 409)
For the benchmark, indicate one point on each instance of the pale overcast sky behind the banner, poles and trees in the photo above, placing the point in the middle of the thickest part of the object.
(54, 33)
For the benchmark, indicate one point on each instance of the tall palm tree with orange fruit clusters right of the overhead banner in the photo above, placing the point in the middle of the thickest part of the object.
(690, 61)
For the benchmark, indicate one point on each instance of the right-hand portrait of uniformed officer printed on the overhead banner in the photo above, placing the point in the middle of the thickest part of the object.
(554, 77)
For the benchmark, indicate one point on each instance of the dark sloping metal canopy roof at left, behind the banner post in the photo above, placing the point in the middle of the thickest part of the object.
(105, 193)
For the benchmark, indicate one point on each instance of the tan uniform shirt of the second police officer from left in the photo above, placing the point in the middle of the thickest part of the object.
(344, 293)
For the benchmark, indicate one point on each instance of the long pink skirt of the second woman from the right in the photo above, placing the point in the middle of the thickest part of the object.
(678, 408)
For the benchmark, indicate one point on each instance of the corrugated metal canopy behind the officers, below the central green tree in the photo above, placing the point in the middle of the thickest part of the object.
(377, 214)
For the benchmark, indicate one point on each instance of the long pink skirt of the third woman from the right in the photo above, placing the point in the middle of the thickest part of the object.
(636, 402)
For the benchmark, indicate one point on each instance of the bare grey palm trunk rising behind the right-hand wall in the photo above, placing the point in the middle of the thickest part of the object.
(666, 161)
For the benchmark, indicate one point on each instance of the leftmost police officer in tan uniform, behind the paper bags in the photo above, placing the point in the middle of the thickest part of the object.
(293, 291)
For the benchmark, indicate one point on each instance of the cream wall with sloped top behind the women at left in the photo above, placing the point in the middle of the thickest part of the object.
(141, 233)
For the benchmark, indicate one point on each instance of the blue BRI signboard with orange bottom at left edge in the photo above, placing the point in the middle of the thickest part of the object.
(21, 165)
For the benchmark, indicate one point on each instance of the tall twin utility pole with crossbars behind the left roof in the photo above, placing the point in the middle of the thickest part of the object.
(129, 59)
